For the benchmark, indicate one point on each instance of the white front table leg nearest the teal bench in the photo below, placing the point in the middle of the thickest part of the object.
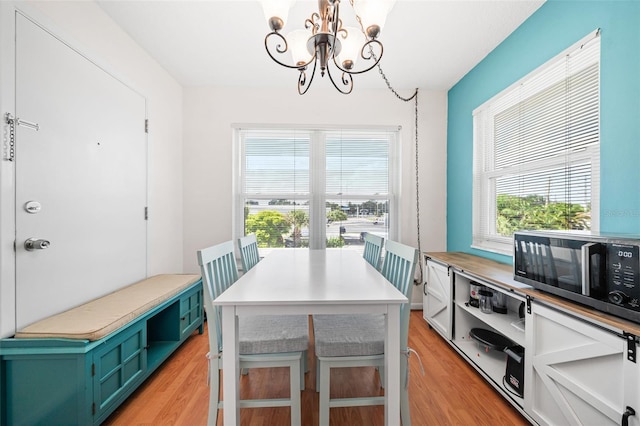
(230, 366)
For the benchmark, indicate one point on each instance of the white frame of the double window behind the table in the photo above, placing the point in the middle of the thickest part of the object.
(317, 195)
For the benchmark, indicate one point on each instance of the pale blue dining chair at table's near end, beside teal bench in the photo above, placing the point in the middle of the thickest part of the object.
(264, 341)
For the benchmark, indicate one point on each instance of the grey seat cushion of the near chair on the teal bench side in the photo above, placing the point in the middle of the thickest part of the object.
(268, 334)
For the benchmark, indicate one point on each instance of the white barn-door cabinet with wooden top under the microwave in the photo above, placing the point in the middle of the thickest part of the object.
(576, 367)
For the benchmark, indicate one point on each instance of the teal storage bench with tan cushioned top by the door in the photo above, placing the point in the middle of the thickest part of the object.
(78, 366)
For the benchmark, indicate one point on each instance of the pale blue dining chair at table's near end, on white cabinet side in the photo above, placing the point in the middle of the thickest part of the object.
(358, 340)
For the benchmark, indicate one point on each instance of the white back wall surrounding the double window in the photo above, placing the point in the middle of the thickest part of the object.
(209, 114)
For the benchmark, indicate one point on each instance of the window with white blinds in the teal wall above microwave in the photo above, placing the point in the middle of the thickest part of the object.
(537, 150)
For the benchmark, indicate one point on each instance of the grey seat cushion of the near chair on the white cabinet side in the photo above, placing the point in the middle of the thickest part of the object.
(349, 335)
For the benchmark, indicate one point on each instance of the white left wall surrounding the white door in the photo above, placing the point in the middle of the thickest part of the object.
(85, 27)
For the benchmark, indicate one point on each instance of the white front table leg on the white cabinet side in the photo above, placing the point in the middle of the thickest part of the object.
(392, 366)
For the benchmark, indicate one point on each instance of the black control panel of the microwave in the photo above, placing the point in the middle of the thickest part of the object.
(623, 275)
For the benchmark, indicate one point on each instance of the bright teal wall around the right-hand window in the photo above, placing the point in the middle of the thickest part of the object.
(557, 25)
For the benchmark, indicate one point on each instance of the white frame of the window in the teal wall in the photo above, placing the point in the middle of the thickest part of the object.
(484, 214)
